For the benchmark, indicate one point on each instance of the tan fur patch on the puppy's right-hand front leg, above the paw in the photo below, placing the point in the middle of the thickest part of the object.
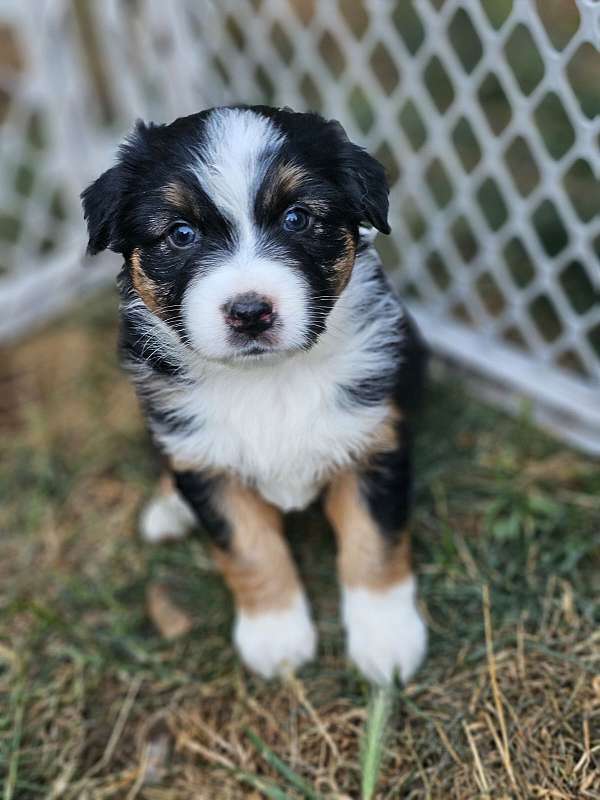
(365, 558)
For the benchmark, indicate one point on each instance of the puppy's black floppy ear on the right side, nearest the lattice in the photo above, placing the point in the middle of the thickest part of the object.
(365, 180)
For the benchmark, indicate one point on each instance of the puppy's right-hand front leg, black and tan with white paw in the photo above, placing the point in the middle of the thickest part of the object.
(368, 510)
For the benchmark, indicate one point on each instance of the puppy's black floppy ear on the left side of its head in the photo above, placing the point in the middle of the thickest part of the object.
(100, 208)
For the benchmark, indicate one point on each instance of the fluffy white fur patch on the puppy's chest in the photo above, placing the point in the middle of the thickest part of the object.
(281, 425)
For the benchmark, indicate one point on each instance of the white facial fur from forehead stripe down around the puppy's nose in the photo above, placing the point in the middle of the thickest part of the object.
(237, 150)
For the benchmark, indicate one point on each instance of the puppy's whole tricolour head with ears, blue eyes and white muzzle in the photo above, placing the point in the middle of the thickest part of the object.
(239, 226)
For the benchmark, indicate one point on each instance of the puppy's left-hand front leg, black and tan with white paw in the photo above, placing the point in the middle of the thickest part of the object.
(273, 628)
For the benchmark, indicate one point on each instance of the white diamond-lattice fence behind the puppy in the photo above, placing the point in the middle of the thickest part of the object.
(486, 114)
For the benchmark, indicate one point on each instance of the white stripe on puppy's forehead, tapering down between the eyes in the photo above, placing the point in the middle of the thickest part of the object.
(238, 148)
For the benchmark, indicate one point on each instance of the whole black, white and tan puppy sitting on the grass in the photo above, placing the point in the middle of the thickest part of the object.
(273, 363)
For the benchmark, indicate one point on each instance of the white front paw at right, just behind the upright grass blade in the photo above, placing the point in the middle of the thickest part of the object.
(385, 632)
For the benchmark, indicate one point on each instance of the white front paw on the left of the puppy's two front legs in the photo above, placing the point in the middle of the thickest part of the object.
(271, 642)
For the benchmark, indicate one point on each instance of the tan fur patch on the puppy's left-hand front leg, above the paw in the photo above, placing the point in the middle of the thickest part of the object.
(258, 567)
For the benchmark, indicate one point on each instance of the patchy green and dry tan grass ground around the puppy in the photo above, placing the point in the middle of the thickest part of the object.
(96, 703)
